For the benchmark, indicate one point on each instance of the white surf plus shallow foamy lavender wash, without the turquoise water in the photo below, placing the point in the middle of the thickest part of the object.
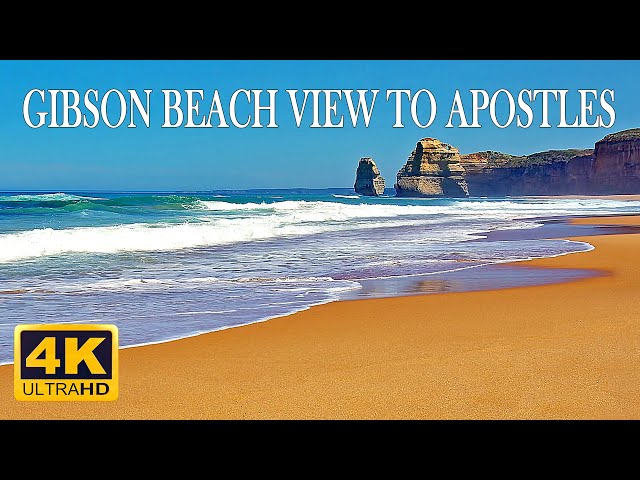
(164, 299)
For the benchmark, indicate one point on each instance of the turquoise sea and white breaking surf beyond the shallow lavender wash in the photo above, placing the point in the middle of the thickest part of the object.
(174, 222)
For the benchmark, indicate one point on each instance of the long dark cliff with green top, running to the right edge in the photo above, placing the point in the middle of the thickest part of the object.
(613, 167)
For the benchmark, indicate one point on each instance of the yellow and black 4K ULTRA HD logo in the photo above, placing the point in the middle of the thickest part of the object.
(66, 362)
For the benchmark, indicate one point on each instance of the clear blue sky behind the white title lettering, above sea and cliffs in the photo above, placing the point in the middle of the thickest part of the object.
(156, 158)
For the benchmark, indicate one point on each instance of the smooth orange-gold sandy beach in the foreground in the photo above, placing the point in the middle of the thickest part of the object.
(561, 351)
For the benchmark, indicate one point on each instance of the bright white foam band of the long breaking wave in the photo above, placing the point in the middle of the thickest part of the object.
(259, 221)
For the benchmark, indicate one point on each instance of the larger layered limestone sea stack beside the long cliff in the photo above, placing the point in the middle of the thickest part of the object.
(432, 170)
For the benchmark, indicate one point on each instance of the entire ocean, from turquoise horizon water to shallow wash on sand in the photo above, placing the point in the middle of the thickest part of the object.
(163, 266)
